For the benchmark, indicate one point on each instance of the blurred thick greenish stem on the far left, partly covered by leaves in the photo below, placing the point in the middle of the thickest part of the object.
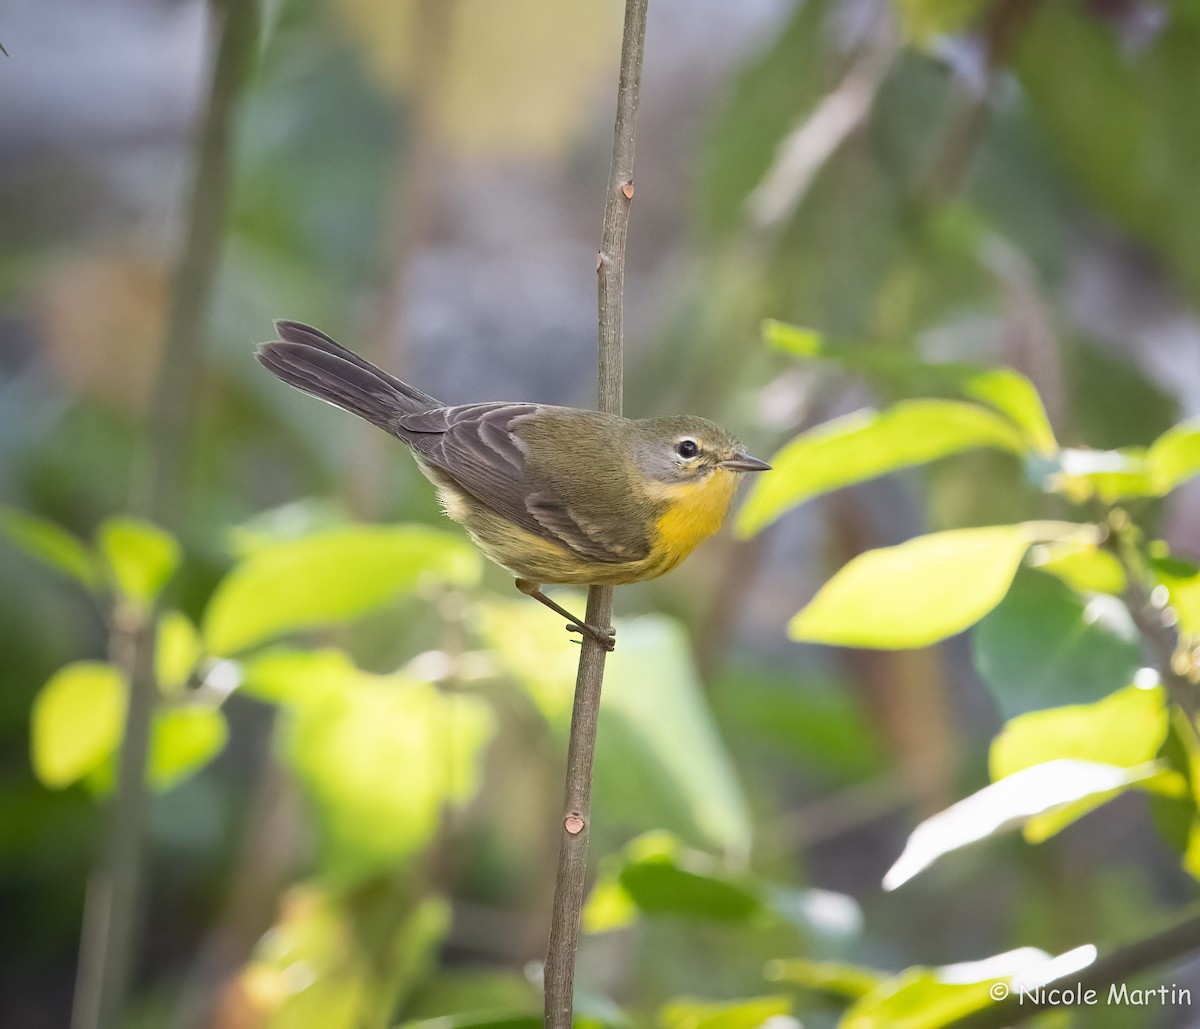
(110, 920)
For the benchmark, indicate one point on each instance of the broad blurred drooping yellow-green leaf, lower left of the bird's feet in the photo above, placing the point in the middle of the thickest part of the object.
(381, 757)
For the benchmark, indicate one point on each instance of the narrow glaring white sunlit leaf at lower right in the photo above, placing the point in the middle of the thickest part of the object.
(1007, 804)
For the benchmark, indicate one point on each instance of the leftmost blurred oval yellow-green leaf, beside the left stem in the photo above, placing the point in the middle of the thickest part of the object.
(77, 721)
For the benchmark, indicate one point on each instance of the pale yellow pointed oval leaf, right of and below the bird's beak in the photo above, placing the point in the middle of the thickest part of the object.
(917, 593)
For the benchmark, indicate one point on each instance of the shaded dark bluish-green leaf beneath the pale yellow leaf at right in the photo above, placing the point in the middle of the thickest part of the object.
(1045, 646)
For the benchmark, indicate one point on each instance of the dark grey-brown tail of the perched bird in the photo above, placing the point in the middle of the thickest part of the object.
(310, 360)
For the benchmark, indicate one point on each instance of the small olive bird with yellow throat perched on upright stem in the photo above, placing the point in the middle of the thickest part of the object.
(554, 495)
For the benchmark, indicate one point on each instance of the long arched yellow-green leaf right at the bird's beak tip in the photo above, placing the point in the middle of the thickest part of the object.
(869, 444)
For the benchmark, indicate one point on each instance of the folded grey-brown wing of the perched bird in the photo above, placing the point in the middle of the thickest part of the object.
(479, 447)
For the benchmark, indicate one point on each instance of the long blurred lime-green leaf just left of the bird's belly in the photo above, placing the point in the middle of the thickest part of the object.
(331, 579)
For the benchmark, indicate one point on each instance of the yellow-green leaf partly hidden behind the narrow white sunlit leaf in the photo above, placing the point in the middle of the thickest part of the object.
(1124, 731)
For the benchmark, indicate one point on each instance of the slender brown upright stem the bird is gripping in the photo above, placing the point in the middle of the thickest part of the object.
(573, 856)
